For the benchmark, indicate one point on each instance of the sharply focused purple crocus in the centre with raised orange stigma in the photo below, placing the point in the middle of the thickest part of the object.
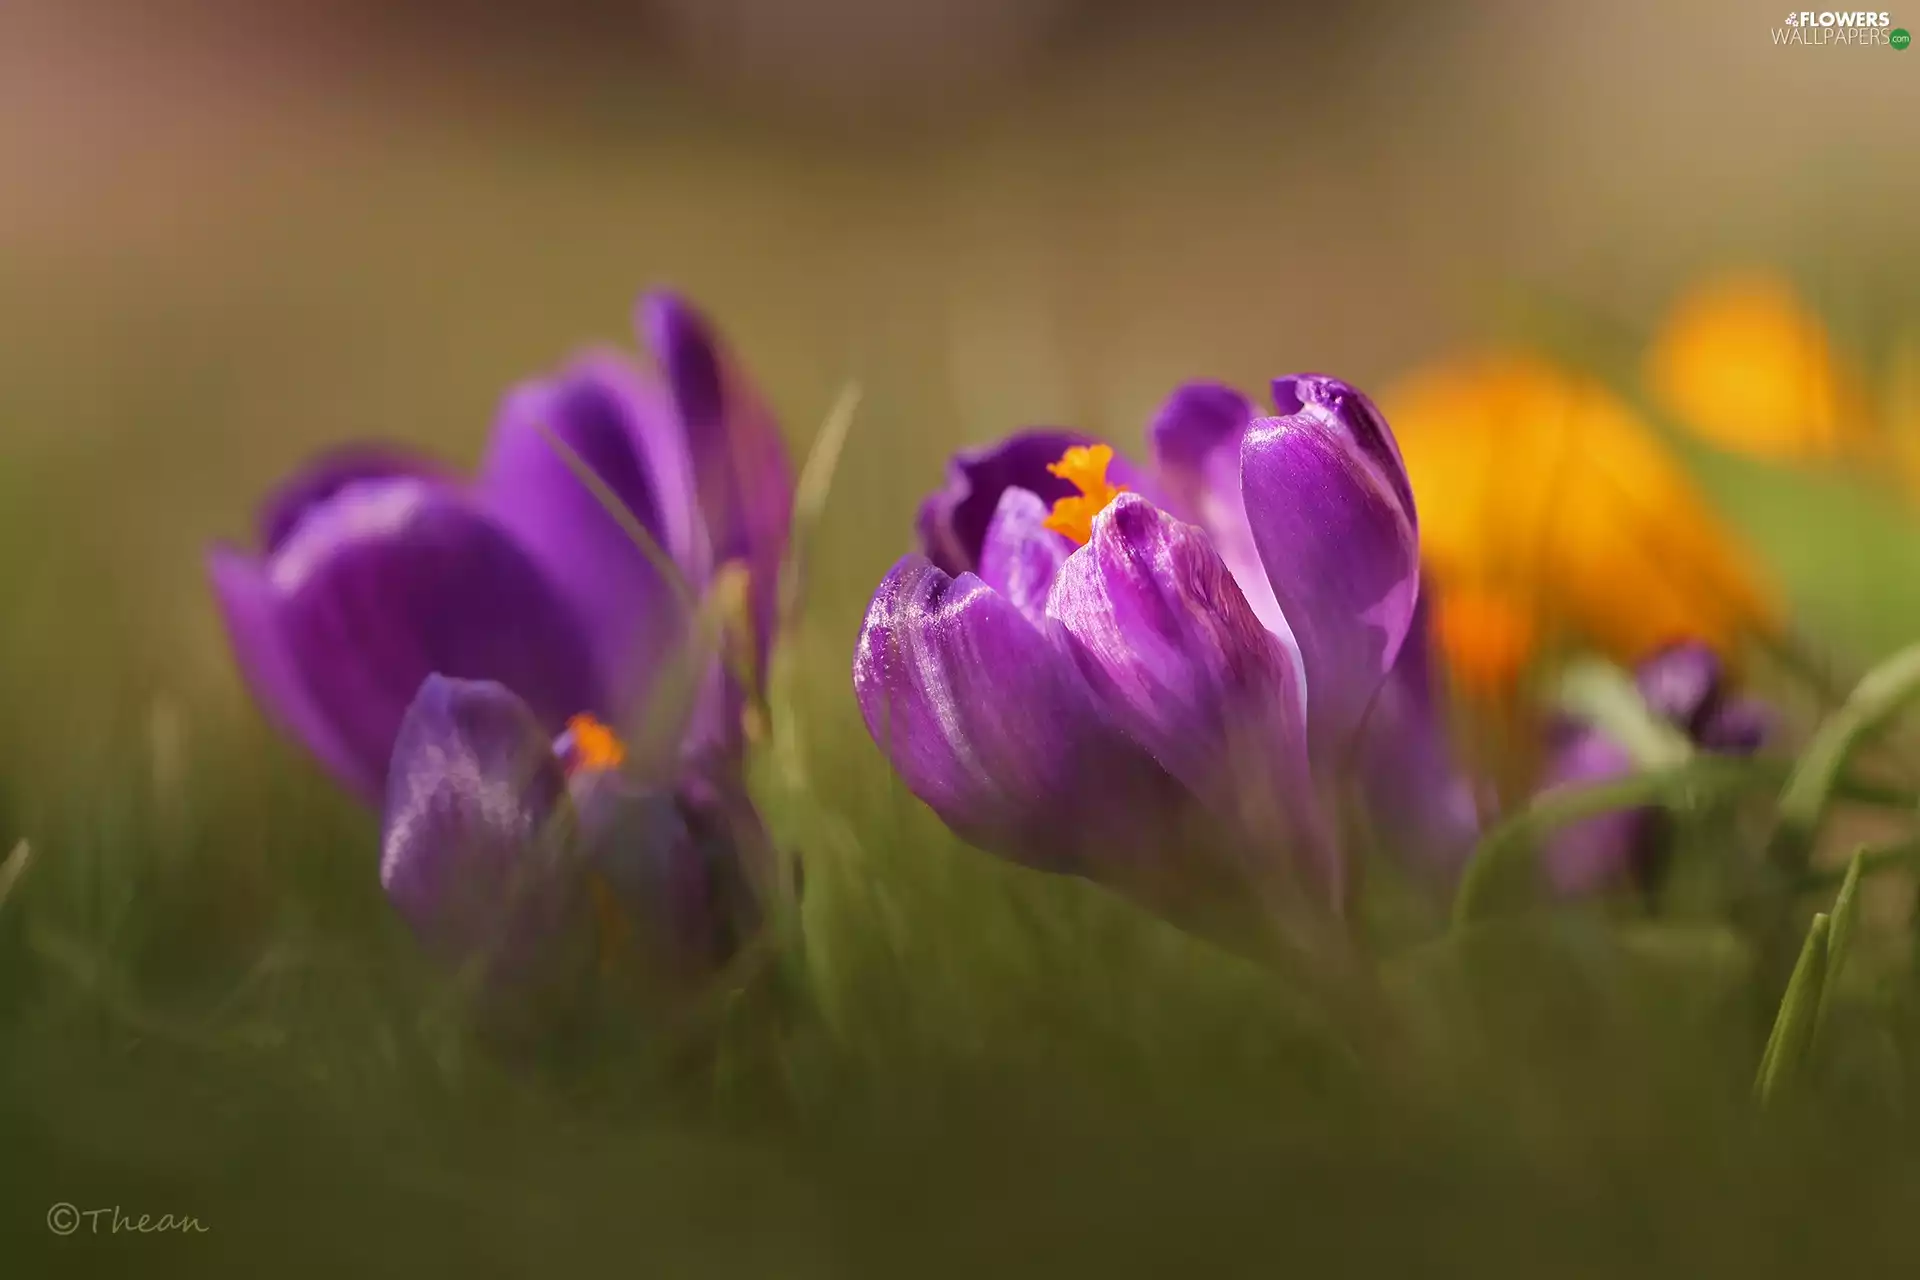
(1116, 673)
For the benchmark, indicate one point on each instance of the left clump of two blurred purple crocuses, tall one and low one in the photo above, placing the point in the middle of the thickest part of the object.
(454, 650)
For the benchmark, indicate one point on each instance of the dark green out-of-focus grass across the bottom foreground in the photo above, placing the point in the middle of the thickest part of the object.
(208, 1010)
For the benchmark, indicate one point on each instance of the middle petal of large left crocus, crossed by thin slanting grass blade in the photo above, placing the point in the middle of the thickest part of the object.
(627, 435)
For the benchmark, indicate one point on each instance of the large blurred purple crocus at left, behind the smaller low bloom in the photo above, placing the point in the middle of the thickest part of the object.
(377, 571)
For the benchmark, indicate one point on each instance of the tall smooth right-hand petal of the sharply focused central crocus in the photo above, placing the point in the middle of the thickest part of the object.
(1343, 557)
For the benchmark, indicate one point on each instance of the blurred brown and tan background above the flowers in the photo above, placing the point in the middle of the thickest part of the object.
(235, 231)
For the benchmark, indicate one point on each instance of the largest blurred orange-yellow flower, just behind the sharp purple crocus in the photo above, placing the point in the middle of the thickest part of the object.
(1552, 515)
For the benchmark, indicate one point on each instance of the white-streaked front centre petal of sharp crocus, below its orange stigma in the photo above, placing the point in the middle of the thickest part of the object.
(1180, 661)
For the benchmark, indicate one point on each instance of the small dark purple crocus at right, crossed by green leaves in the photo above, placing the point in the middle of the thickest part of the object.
(1687, 688)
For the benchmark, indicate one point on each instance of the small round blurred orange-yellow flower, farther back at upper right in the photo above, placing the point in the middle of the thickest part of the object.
(1742, 362)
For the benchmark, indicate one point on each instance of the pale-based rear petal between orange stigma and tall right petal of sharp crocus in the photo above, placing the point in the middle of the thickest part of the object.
(1197, 442)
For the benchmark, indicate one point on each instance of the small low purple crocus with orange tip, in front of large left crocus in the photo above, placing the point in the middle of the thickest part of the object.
(537, 859)
